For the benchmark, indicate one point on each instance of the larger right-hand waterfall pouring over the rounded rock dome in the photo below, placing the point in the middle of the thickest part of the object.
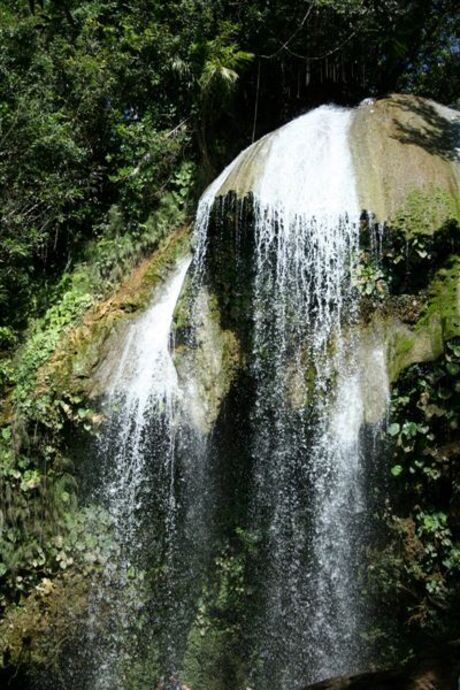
(308, 420)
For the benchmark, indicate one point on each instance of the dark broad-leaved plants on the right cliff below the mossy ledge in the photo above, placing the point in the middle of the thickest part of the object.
(422, 561)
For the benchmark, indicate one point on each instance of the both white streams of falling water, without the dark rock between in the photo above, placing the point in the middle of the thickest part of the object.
(308, 426)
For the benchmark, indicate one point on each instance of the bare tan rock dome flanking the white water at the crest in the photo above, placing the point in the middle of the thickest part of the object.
(404, 148)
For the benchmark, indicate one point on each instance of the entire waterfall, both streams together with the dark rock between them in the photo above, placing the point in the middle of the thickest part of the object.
(302, 431)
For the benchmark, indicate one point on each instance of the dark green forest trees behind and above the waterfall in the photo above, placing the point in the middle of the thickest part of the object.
(100, 102)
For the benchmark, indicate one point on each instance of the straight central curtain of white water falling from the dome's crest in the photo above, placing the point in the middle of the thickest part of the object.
(306, 233)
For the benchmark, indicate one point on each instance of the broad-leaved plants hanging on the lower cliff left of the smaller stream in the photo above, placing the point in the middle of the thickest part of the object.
(41, 529)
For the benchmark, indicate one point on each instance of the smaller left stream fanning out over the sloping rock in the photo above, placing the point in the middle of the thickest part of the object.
(137, 455)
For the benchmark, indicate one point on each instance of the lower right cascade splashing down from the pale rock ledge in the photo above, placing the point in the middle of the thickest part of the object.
(343, 459)
